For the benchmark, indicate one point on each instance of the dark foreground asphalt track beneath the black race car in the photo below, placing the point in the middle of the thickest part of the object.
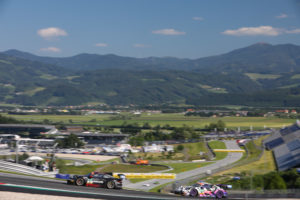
(35, 185)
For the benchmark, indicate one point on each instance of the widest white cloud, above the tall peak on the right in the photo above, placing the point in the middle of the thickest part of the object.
(260, 30)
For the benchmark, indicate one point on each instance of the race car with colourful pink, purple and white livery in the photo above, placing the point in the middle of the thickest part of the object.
(201, 189)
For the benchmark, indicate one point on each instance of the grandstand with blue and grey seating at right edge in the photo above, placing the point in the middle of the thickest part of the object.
(286, 146)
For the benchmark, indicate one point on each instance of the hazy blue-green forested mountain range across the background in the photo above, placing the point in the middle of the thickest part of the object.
(258, 75)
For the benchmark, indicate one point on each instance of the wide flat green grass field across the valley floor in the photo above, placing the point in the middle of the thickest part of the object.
(175, 120)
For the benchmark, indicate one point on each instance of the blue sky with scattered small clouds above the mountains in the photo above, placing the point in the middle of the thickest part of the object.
(142, 28)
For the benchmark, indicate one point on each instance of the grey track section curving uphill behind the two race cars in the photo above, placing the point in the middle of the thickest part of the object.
(231, 158)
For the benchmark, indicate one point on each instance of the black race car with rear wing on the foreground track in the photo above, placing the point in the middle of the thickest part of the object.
(97, 180)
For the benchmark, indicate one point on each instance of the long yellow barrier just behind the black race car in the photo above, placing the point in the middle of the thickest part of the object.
(147, 175)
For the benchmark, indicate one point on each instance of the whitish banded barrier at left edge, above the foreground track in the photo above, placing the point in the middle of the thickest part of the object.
(14, 167)
